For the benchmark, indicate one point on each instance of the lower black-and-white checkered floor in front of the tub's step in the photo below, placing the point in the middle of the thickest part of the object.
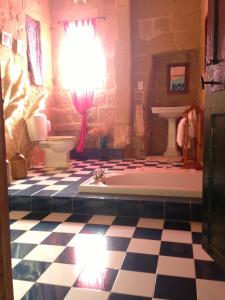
(63, 256)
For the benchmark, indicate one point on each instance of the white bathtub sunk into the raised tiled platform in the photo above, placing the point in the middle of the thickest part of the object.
(178, 183)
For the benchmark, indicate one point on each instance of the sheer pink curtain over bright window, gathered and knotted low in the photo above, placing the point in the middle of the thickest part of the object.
(81, 35)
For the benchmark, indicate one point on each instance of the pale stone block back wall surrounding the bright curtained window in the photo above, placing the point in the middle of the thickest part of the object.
(111, 106)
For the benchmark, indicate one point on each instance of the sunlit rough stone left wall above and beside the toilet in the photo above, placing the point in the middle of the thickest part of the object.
(12, 20)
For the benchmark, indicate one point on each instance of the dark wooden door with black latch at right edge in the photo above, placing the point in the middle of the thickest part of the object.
(214, 135)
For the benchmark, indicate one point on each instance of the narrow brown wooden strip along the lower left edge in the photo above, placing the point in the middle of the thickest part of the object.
(6, 291)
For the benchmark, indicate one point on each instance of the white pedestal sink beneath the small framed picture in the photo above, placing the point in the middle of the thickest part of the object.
(171, 113)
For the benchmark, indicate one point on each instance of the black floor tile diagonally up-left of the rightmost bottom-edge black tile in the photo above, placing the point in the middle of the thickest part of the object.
(140, 262)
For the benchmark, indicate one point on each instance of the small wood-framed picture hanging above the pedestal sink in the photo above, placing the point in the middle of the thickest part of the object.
(177, 78)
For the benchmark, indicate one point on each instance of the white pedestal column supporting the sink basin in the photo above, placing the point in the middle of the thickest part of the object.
(171, 149)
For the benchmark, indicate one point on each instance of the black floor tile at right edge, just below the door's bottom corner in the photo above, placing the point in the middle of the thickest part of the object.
(209, 270)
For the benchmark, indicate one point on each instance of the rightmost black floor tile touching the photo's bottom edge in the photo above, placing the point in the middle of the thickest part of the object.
(175, 288)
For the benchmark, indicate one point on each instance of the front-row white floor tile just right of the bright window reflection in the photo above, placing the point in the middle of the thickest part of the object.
(134, 283)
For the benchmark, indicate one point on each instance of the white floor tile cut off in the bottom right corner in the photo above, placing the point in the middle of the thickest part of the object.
(210, 289)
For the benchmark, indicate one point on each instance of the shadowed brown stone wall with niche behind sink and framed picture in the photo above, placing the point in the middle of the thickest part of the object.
(163, 32)
